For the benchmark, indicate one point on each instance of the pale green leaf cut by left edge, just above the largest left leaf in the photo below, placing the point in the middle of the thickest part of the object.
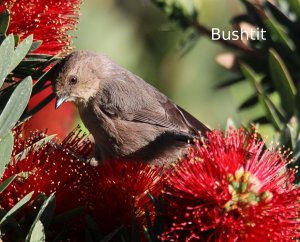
(6, 55)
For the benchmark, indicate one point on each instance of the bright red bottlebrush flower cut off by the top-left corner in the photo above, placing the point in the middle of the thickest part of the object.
(49, 21)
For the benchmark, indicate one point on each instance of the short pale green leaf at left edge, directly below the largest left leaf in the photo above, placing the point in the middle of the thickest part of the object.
(6, 147)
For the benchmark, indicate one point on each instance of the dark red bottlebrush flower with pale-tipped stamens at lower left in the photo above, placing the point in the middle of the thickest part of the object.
(50, 168)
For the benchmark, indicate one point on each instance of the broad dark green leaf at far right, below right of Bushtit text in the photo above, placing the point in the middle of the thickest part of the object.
(283, 82)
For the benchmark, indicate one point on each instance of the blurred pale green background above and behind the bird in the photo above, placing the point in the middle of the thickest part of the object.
(139, 37)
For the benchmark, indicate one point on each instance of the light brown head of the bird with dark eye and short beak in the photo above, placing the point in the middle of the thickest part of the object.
(80, 76)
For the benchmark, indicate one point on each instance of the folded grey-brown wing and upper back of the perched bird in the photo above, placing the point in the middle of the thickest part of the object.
(148, 105)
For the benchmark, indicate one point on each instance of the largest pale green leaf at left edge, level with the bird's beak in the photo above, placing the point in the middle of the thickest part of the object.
(15, 106)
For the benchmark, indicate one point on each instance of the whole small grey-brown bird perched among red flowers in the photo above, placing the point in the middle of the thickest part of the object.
(127, 117)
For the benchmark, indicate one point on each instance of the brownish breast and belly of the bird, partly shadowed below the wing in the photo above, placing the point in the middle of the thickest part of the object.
(118, 138)
